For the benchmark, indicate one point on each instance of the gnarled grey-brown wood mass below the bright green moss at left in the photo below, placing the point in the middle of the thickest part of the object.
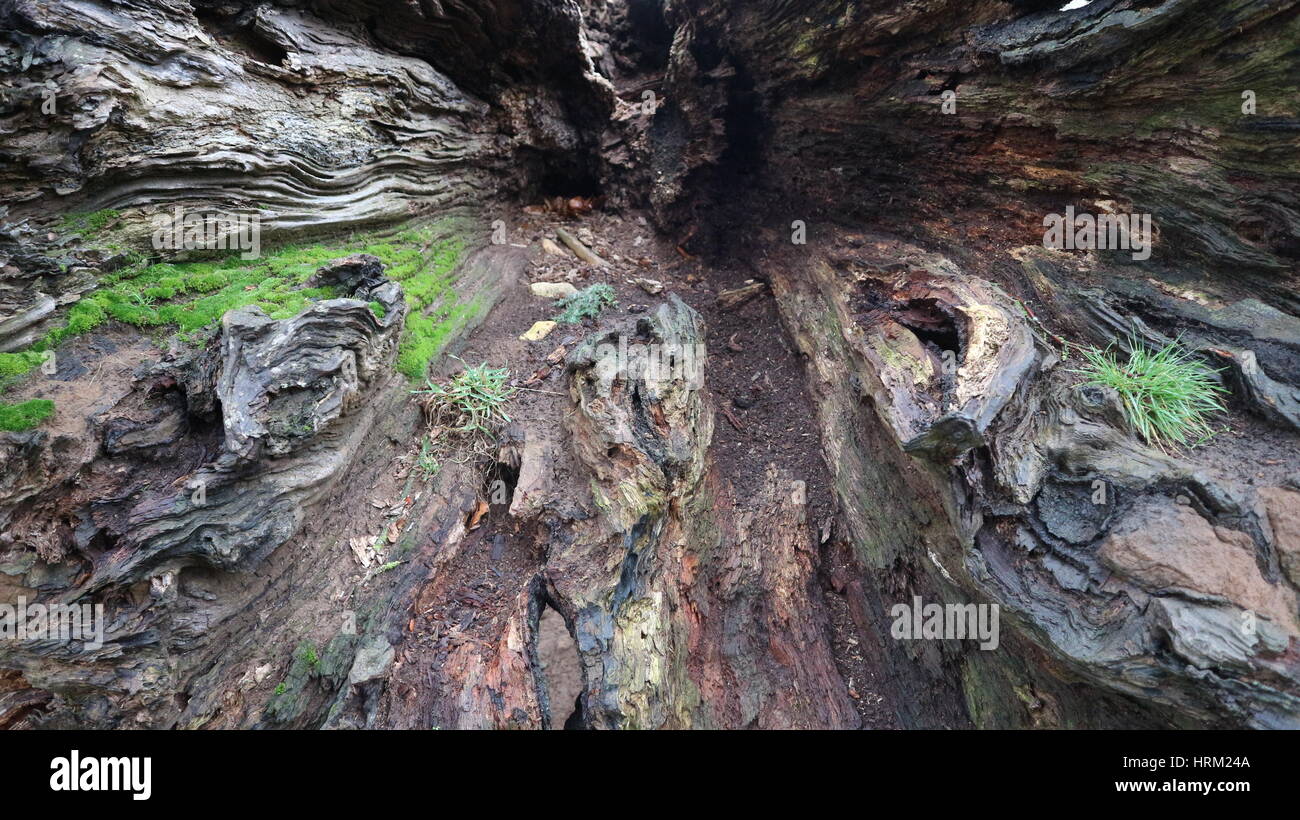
(229, 552)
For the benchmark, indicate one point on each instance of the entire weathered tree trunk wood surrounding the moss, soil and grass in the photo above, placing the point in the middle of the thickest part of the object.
(224, 500)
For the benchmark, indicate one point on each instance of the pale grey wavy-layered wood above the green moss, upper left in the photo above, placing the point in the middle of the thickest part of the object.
(315, 114)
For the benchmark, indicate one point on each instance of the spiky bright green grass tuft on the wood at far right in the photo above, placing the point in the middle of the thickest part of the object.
(1168, 396)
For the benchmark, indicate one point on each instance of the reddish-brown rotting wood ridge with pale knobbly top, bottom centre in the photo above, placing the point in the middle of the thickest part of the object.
(688, 610)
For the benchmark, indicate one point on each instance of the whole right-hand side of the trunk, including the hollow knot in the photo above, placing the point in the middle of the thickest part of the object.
(837, 115)
